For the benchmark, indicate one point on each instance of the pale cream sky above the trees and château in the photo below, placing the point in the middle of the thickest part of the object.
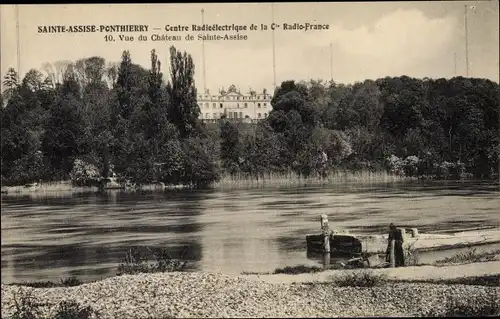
(369, 40)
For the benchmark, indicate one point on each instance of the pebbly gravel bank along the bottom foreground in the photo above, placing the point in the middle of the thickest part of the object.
(182, 294)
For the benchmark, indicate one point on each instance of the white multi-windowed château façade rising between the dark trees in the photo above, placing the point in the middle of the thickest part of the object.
(248, 107)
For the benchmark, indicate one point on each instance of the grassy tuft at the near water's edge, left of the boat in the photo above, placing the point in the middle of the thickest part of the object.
(135, 263)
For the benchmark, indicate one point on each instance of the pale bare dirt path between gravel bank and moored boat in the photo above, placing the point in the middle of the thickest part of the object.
(406, 273)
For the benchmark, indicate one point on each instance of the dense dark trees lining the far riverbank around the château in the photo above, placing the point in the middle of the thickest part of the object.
(87, 119)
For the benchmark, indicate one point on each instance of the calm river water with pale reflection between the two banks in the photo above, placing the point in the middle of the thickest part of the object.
(47, 237)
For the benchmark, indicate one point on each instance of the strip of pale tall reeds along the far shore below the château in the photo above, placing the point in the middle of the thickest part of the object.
(294, 179)
